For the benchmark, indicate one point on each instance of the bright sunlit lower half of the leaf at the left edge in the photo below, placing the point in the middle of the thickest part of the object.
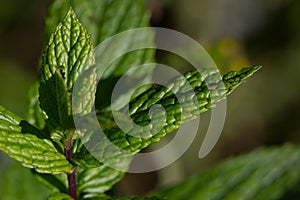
(33, 152)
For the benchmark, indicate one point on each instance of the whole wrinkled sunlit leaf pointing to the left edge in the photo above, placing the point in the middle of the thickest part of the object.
(29, 149)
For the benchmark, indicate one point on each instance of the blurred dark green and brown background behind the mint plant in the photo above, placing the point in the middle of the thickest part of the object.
(263, 111)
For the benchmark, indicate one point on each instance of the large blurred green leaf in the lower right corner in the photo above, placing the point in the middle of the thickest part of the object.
(266, 173)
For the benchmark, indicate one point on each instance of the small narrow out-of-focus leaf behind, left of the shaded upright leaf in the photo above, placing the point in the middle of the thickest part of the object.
(34, 113)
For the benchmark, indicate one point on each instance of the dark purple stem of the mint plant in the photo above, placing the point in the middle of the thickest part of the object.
(71, 176)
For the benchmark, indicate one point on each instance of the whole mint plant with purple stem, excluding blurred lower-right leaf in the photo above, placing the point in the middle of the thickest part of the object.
(48, 141)
